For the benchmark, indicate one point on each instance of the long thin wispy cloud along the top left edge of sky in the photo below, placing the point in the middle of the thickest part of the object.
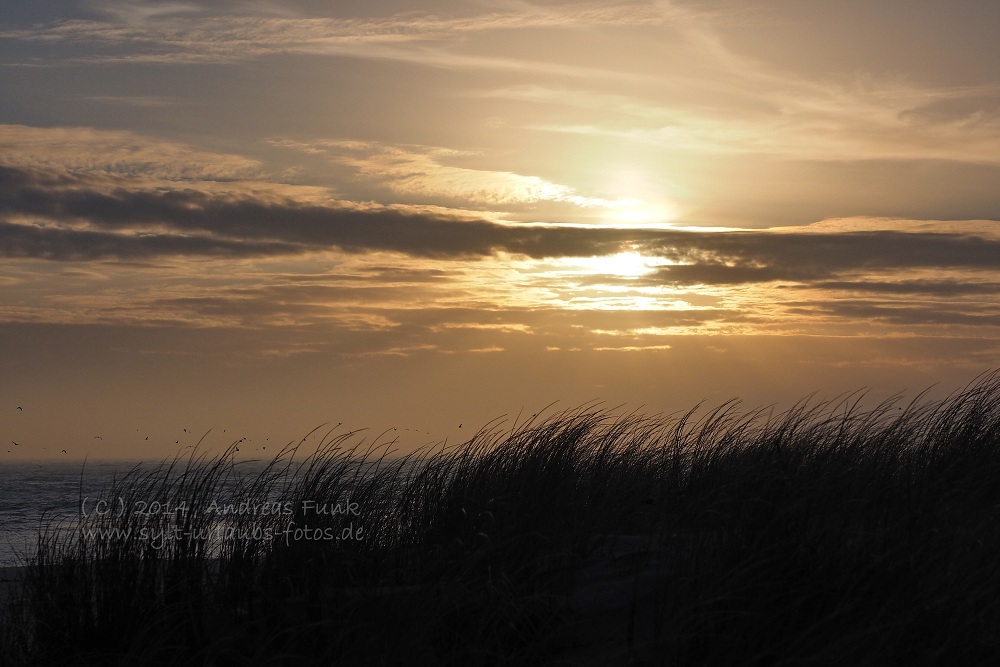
(170, 35)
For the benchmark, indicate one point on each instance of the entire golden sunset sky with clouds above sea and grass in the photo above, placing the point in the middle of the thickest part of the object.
(240, 221)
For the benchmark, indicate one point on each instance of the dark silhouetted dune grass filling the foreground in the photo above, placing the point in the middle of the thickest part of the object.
(830, 534)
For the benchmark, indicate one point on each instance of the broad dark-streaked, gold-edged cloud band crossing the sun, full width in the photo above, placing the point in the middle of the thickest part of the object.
(78, 195)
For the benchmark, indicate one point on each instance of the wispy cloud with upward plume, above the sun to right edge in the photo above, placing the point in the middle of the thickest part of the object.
(727, 102)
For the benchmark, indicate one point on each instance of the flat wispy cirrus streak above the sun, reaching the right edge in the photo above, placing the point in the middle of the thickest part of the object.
(803, 121)
